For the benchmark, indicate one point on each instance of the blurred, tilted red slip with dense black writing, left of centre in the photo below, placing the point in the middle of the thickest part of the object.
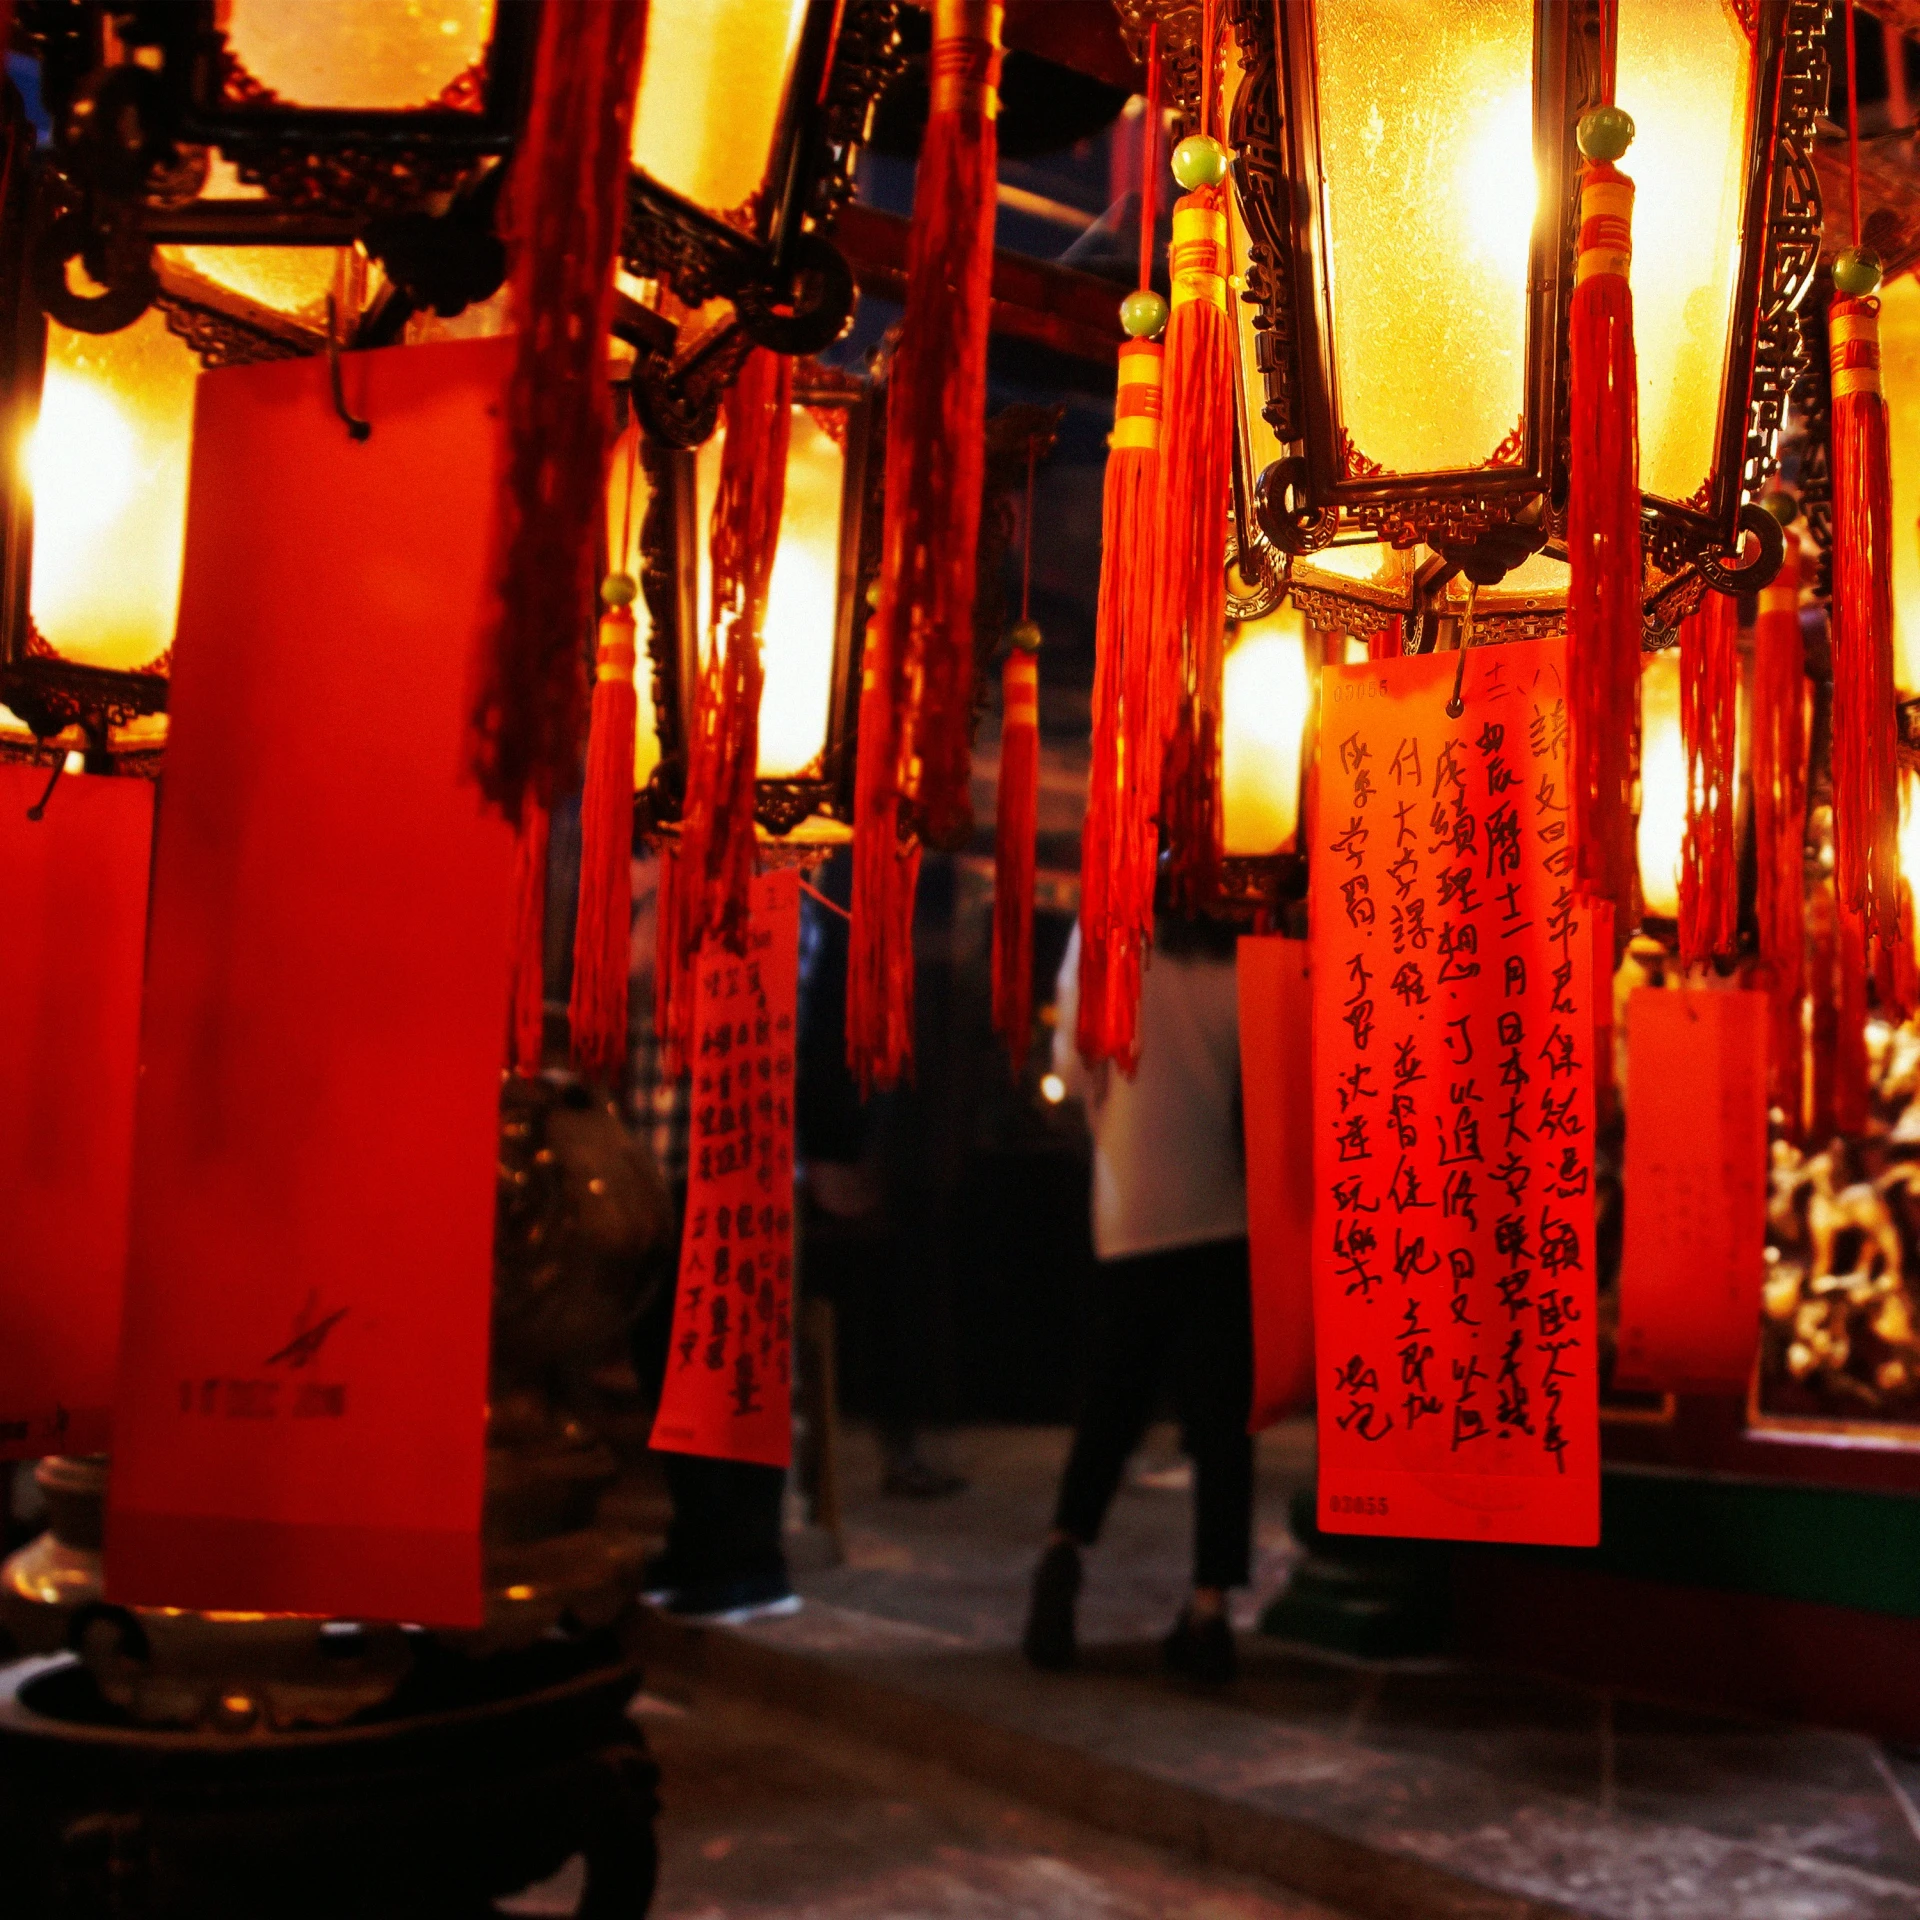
(729, 1387)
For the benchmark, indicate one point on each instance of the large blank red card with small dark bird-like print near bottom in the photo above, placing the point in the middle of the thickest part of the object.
(302, 1387)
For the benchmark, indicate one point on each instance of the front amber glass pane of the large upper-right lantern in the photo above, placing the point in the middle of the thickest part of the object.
(1428, 147)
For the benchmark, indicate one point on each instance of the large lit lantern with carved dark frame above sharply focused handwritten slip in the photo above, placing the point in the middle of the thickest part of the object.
(1406, 181)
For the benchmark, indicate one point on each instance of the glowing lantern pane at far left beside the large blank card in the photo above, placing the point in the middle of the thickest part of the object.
(108, 473)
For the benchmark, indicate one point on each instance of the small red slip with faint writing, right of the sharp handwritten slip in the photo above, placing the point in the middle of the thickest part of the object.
(1696, 1189)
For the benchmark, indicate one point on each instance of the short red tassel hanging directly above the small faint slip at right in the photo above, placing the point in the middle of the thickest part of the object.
(1710, 725)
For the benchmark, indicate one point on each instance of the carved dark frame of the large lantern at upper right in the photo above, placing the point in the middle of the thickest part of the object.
(1305, 487)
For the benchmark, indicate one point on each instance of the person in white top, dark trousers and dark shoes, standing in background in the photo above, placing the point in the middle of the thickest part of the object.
(1172, 1301)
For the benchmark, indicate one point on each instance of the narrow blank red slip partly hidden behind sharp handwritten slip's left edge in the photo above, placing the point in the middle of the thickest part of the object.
(1278, 1107)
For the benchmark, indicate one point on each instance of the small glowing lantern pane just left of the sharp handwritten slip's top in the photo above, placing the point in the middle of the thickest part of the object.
(1266, 698)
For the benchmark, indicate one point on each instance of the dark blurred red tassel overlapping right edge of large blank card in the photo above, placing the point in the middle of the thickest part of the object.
(569, 197)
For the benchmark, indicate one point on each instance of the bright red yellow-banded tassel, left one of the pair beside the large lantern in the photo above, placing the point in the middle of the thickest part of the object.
(1120, 836)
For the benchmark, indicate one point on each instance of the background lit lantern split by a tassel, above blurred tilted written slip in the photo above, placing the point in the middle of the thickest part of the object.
(815, 613)
